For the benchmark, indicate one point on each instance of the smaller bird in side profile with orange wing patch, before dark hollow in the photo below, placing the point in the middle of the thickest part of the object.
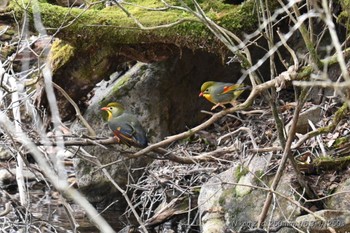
(220, 93)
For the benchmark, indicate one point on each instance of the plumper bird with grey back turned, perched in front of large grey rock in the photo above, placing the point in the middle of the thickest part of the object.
(125, 126)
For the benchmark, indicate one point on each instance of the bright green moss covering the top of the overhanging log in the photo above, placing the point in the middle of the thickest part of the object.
(111, 26)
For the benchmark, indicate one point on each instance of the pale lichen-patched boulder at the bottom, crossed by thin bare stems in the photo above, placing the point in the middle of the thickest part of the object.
(230, 207)
